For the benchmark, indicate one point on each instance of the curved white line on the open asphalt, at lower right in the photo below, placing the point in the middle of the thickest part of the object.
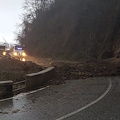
(90, 104)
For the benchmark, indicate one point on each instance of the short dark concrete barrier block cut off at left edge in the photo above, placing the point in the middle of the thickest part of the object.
(6, 89)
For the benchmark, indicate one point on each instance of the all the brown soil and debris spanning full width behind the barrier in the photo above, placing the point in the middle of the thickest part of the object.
(12, 69)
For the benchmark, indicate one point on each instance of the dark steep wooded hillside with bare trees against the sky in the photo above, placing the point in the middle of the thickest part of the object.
(71, 28)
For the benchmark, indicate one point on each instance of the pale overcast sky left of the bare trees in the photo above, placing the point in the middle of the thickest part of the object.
(10, 11)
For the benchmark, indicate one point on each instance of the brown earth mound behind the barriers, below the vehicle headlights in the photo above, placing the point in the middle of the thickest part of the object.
(15, 70)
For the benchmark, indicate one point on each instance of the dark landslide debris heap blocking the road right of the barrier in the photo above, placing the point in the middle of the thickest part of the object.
(89, 68)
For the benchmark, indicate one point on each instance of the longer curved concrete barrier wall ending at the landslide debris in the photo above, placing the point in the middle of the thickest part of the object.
(36, 80)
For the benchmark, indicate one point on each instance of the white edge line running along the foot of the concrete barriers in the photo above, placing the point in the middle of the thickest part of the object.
(23, 94)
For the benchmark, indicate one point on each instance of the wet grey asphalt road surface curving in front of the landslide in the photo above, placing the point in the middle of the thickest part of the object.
(87, 99)
